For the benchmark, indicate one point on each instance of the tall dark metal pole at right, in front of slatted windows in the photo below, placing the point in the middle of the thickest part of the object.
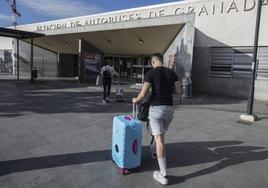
(254, 61)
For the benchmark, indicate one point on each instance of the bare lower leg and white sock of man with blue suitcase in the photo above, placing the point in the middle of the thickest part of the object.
(161, 153)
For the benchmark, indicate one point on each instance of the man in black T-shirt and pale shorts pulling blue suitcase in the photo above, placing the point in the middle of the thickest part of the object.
(161, 81)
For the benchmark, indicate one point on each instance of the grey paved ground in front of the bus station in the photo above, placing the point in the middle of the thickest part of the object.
(59, 135)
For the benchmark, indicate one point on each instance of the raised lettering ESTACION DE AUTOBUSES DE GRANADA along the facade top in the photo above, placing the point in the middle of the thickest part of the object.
(213, 8)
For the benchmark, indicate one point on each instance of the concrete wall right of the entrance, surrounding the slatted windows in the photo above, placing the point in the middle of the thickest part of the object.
(233, 29)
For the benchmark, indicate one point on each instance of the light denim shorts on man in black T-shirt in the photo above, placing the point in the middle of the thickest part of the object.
(160, 118)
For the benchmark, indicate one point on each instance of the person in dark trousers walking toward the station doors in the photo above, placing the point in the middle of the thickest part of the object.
(107, 72)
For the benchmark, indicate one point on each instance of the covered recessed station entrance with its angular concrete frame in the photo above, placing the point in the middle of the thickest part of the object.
(82, 50)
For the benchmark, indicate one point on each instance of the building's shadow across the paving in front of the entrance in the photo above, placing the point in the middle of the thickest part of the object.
(23, 98)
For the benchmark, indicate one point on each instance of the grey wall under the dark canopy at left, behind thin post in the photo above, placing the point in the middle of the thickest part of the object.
(44, 60)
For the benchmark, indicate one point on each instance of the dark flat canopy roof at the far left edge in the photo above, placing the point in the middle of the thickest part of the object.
(14, 33)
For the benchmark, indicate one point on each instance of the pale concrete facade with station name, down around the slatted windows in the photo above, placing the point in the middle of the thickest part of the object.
(217, 23)
